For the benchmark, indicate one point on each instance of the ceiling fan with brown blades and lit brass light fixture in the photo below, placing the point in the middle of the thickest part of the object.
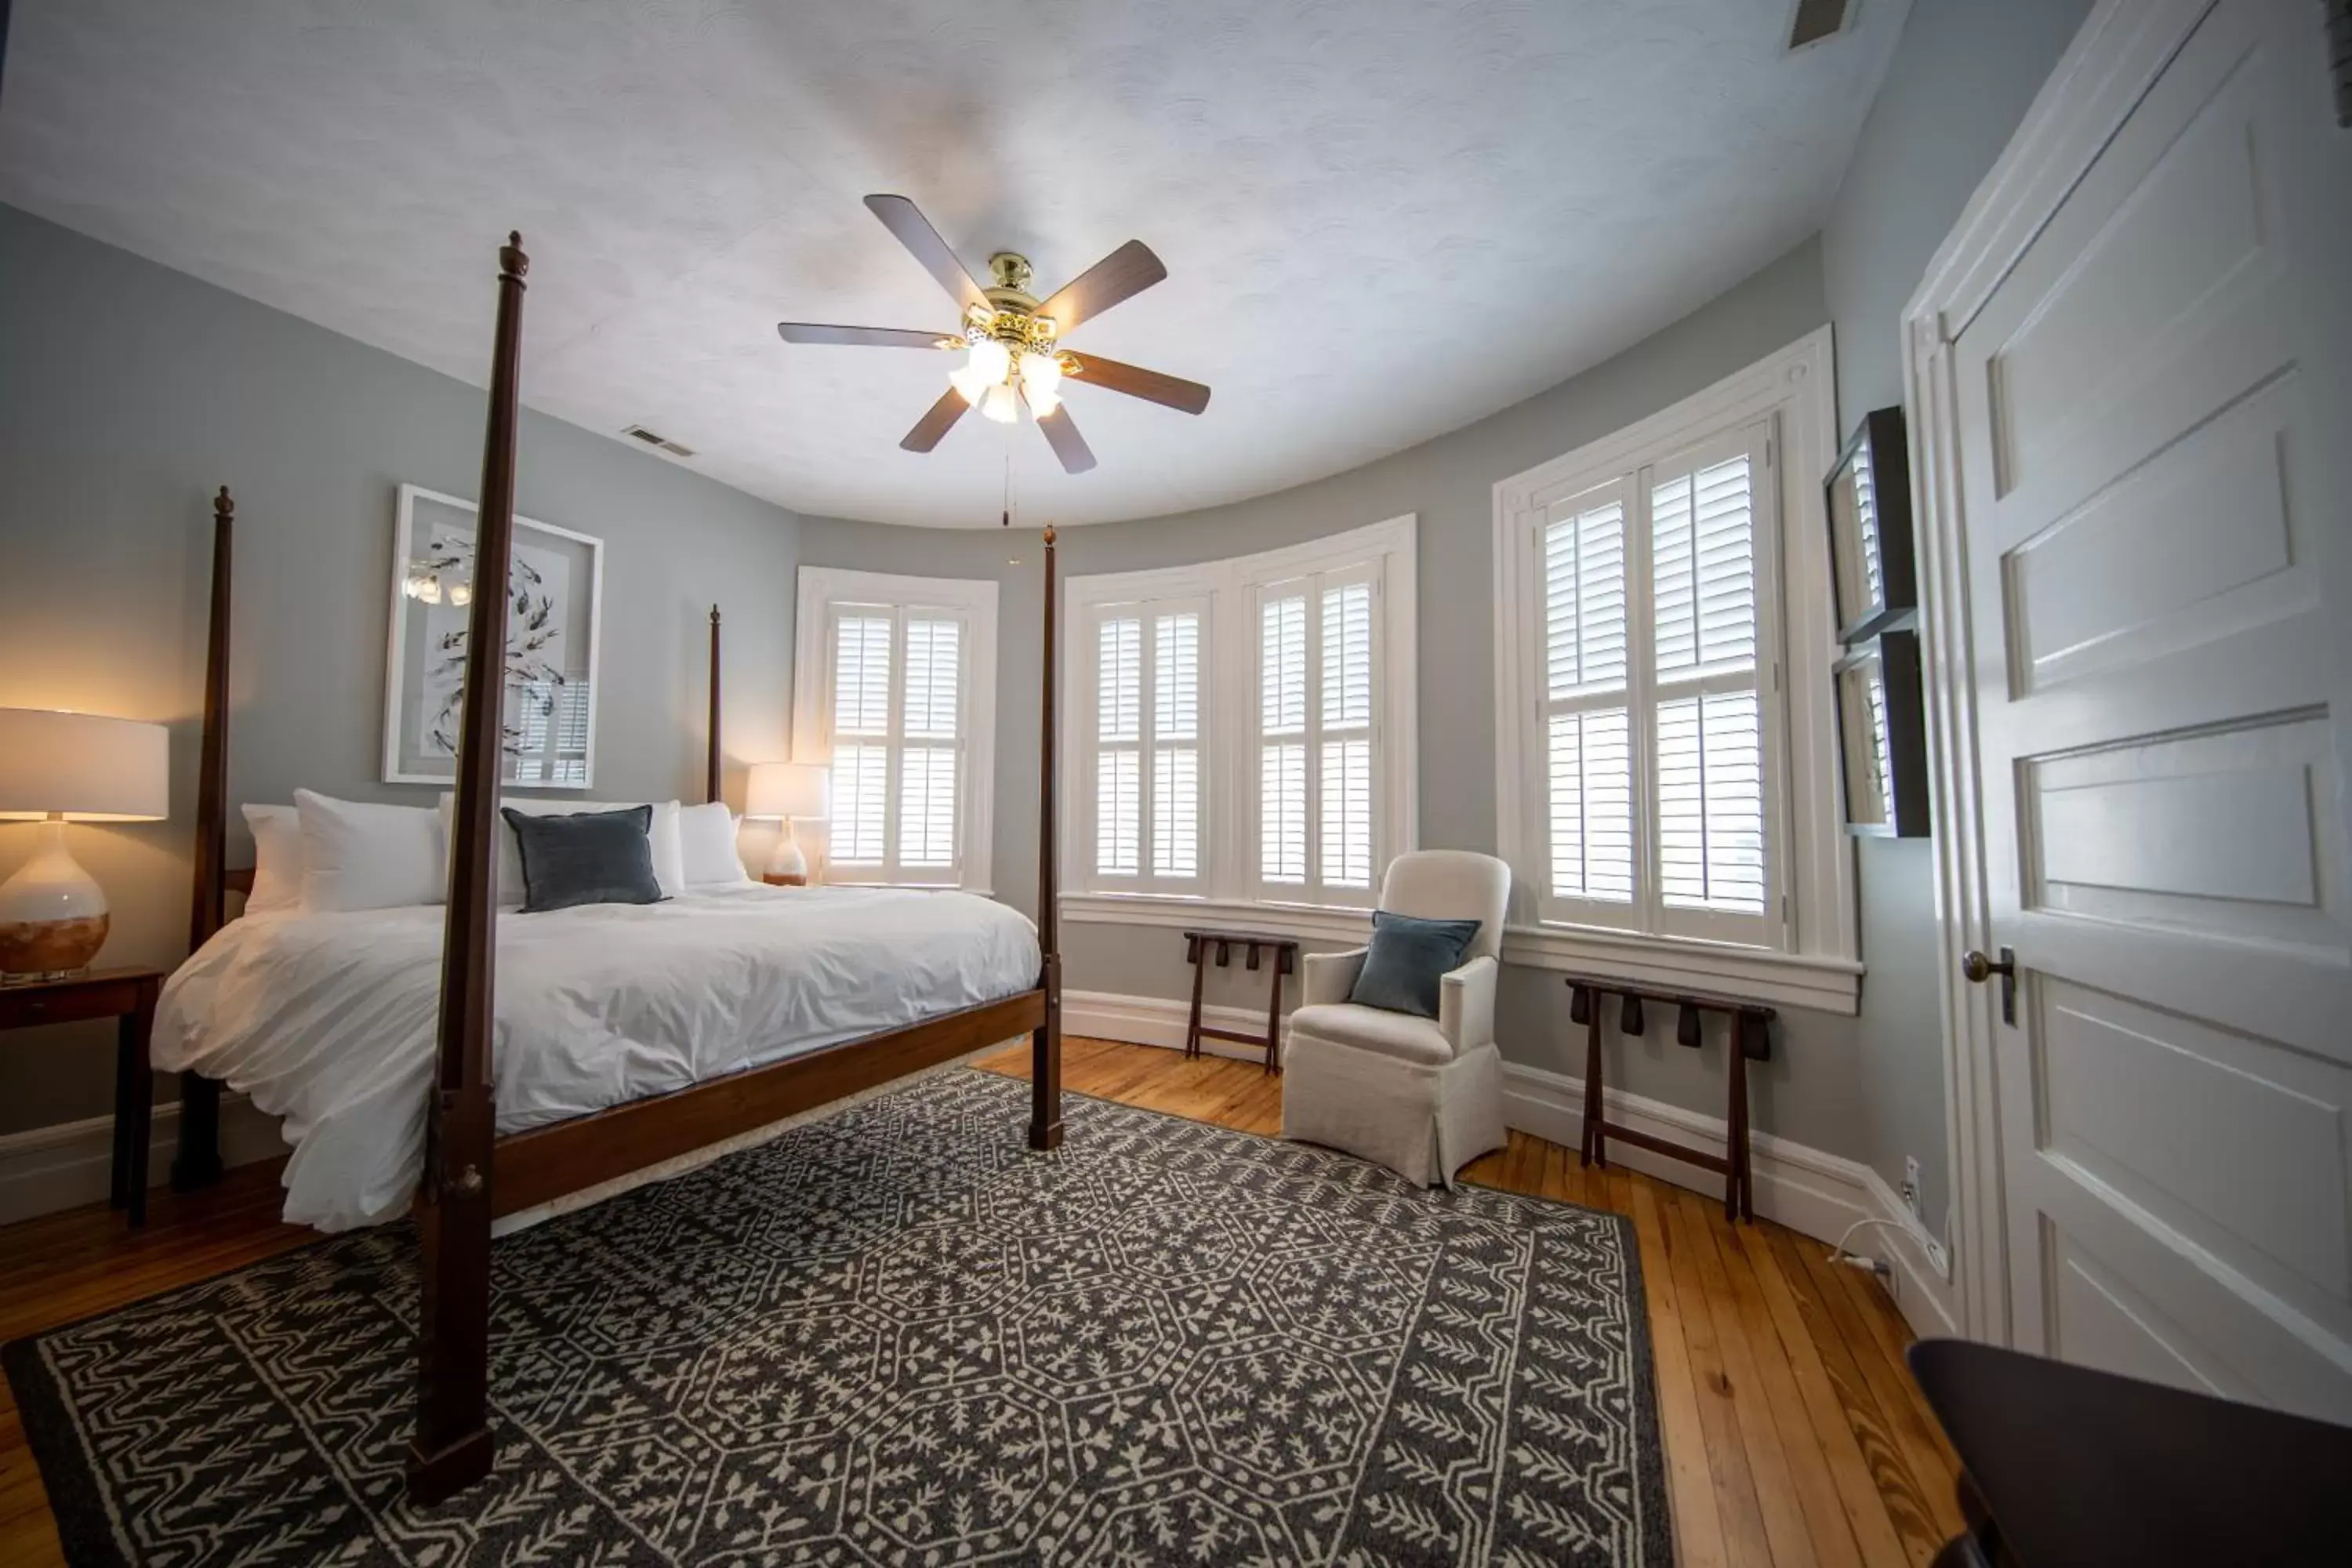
(1013, 342)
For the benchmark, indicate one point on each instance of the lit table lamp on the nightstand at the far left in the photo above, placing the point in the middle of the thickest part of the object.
(69, 768)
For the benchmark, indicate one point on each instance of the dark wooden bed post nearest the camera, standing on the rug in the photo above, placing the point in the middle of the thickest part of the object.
(453, 1445)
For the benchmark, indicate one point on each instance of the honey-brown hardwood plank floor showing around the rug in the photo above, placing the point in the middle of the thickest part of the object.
(1793, 1435)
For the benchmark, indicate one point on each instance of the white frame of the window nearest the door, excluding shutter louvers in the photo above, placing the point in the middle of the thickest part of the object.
(1810, 951)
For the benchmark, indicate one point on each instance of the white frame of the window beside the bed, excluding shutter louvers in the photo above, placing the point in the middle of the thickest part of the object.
(822, 596)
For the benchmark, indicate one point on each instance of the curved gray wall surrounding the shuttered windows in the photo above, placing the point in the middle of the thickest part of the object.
(1450, 485)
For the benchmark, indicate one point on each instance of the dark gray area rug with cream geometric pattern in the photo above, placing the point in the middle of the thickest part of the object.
(900, 1339)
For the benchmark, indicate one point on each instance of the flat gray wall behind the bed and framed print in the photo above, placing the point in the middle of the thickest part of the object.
(128, 396)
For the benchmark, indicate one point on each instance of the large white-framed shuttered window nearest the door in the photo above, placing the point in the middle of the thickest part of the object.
(1666, 779)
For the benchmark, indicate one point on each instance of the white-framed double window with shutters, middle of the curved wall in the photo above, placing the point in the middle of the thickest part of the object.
(1245, 728)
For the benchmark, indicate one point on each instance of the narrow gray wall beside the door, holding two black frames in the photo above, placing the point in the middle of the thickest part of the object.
(1953, 95)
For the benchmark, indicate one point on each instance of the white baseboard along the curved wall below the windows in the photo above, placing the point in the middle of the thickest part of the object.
(1812, 1193)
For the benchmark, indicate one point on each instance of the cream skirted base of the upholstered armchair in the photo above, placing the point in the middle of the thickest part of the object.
(1422, 1120)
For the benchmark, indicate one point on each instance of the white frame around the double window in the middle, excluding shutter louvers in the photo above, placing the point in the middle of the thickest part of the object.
(1229, 702)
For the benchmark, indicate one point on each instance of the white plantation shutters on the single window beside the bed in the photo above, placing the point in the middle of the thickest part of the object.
(897, 742)
